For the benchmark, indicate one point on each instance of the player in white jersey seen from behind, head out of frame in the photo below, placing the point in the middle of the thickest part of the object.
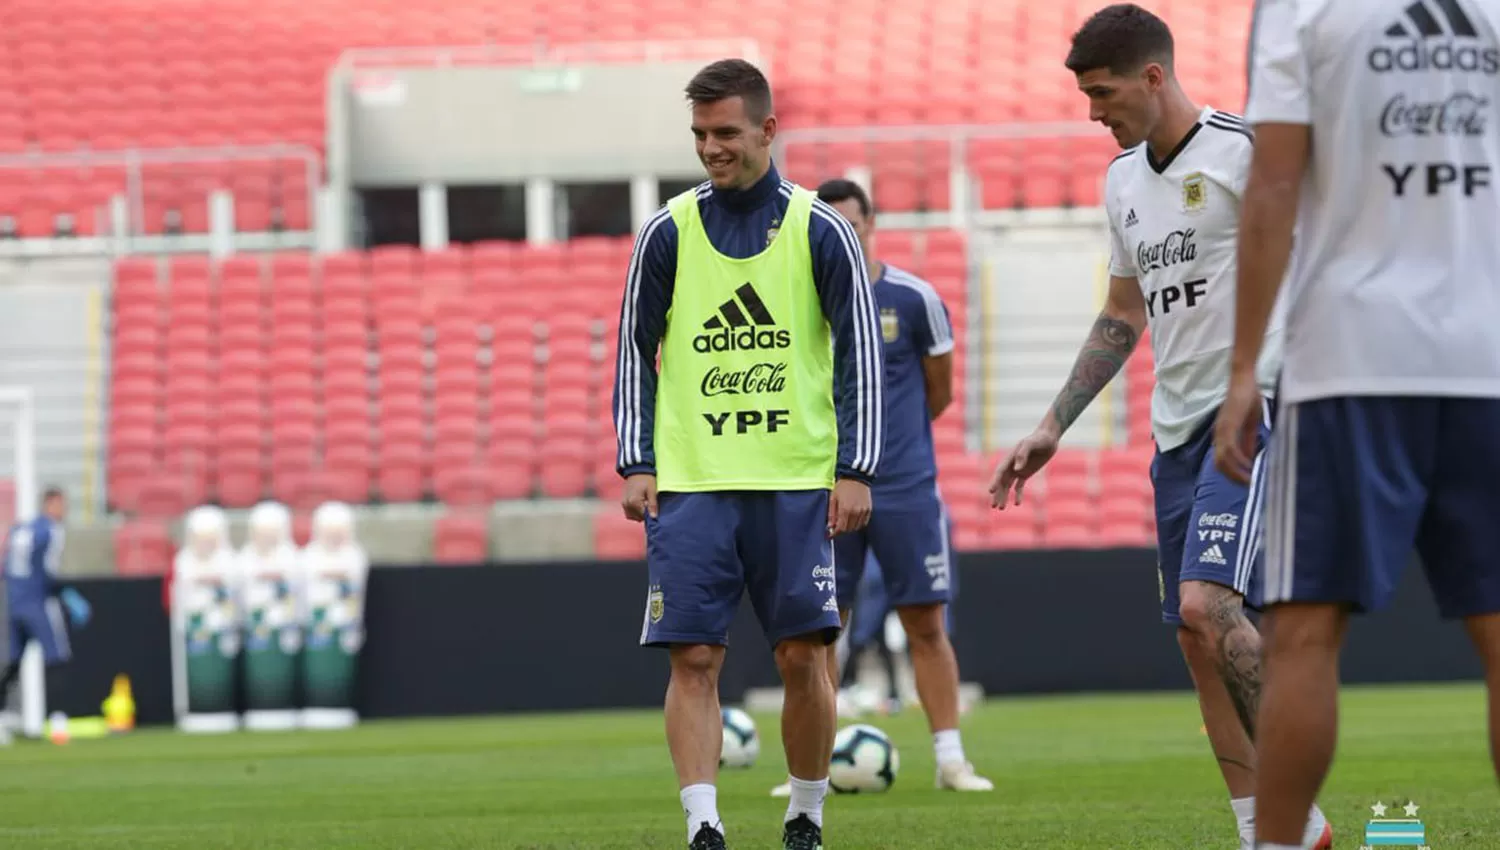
(1378, 140)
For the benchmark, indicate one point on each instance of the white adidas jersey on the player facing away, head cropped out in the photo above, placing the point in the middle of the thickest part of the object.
(1394, 286)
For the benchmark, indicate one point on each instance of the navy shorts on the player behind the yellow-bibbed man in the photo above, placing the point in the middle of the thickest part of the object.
(911, 543)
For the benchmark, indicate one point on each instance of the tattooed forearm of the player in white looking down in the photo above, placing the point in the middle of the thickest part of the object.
(1111, 343)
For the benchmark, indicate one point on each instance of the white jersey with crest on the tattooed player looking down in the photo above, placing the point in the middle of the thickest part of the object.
(1174, 229)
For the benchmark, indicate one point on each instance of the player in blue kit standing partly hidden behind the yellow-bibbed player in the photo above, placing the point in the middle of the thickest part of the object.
(908, 528)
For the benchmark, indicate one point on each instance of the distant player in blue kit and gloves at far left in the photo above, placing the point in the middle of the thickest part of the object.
(35, 599)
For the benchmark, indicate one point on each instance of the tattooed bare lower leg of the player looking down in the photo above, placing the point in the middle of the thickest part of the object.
(1223, 653)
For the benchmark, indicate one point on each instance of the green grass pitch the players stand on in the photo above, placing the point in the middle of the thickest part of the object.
(1072, 773)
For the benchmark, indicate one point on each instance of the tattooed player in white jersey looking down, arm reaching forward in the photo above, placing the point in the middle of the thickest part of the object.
(1174, 214)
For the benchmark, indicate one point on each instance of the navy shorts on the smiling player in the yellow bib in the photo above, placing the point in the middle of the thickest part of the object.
(707, 549)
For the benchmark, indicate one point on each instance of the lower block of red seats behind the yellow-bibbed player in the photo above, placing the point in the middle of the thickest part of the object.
(389, 376)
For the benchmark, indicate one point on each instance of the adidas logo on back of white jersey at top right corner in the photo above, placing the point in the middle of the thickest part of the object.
(1436, 31)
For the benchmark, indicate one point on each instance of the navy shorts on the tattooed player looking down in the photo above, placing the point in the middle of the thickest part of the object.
(1208, 527)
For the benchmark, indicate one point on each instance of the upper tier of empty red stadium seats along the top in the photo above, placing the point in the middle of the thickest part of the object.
(89, 77)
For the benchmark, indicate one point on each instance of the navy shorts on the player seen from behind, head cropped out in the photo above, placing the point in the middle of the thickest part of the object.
(1357, 483)
